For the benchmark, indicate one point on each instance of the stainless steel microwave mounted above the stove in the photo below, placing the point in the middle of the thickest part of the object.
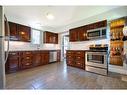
(97, 33)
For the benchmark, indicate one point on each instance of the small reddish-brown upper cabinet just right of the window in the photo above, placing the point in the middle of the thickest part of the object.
(50, 37)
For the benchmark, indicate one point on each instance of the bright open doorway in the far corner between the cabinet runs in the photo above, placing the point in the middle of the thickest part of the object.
(65, 45)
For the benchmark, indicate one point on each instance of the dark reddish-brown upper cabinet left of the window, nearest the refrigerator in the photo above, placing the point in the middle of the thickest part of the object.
(19, 32)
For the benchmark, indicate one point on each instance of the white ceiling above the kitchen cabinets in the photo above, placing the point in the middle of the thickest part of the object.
(35, 16)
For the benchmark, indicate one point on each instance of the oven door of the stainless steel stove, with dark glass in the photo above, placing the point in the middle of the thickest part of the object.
(96, 59)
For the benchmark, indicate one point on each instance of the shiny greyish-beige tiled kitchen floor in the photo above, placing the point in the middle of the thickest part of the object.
(60, 76)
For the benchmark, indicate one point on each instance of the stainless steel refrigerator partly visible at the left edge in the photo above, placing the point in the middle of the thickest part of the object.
(3, 39)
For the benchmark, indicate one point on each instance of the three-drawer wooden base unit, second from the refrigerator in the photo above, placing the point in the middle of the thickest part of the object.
(26, 59)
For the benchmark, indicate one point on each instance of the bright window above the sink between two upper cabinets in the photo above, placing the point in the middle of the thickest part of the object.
(36, 36)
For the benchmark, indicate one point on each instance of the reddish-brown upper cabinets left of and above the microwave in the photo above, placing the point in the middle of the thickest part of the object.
(80, 33)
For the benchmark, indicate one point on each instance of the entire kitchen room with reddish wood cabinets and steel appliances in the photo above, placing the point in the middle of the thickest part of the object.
(95, 57)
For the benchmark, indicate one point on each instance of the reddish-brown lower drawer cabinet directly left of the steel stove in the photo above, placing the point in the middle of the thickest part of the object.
(76, 58)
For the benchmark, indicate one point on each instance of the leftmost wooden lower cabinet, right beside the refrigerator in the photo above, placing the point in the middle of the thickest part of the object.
(13, 61)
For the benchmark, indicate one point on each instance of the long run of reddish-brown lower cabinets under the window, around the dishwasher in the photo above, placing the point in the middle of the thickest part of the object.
(20, 60)
